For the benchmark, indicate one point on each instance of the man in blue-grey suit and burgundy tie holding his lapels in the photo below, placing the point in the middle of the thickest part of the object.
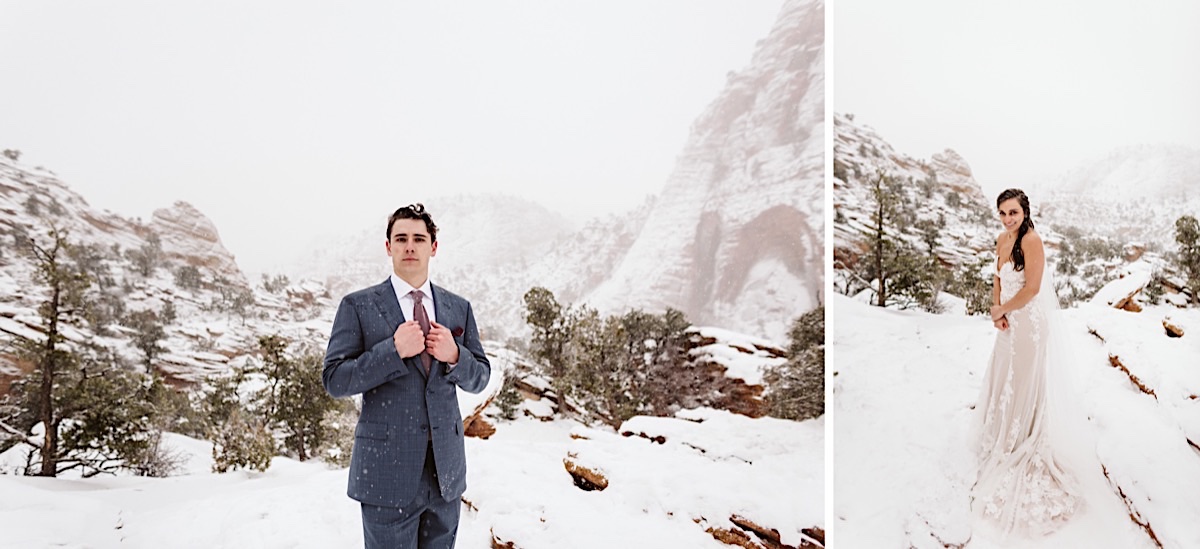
(406, 346)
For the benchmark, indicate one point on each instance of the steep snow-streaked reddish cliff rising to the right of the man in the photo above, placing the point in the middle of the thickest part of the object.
(746, 192)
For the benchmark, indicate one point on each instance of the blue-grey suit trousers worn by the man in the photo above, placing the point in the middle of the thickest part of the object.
(427, 523)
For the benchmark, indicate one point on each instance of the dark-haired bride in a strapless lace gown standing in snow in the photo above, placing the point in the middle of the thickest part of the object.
(1021, 486)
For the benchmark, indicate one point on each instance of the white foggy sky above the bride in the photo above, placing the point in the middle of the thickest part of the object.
(1024, 91)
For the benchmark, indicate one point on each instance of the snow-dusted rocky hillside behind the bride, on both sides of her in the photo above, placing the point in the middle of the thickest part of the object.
(1091, 237)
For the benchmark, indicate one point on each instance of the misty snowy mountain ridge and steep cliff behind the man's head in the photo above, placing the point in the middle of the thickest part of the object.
(733, 240)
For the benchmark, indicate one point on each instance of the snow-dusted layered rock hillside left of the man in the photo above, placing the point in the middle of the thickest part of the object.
(218, 315)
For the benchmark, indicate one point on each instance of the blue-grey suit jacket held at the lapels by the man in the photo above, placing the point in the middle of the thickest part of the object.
(403, 408)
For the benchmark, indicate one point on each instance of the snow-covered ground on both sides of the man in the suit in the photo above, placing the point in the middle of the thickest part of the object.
(661, 496)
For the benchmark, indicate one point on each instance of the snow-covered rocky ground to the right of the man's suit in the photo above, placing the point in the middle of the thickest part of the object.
(713, 467)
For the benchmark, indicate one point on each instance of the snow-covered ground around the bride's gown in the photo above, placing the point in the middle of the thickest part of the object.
(904, 387)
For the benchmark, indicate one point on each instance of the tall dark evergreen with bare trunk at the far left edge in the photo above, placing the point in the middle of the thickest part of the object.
(81, 408)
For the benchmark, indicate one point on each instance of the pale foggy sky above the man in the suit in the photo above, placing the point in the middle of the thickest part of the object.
(283, 120)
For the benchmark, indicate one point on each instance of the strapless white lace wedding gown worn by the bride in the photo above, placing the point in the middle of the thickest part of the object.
(1019, 486)
